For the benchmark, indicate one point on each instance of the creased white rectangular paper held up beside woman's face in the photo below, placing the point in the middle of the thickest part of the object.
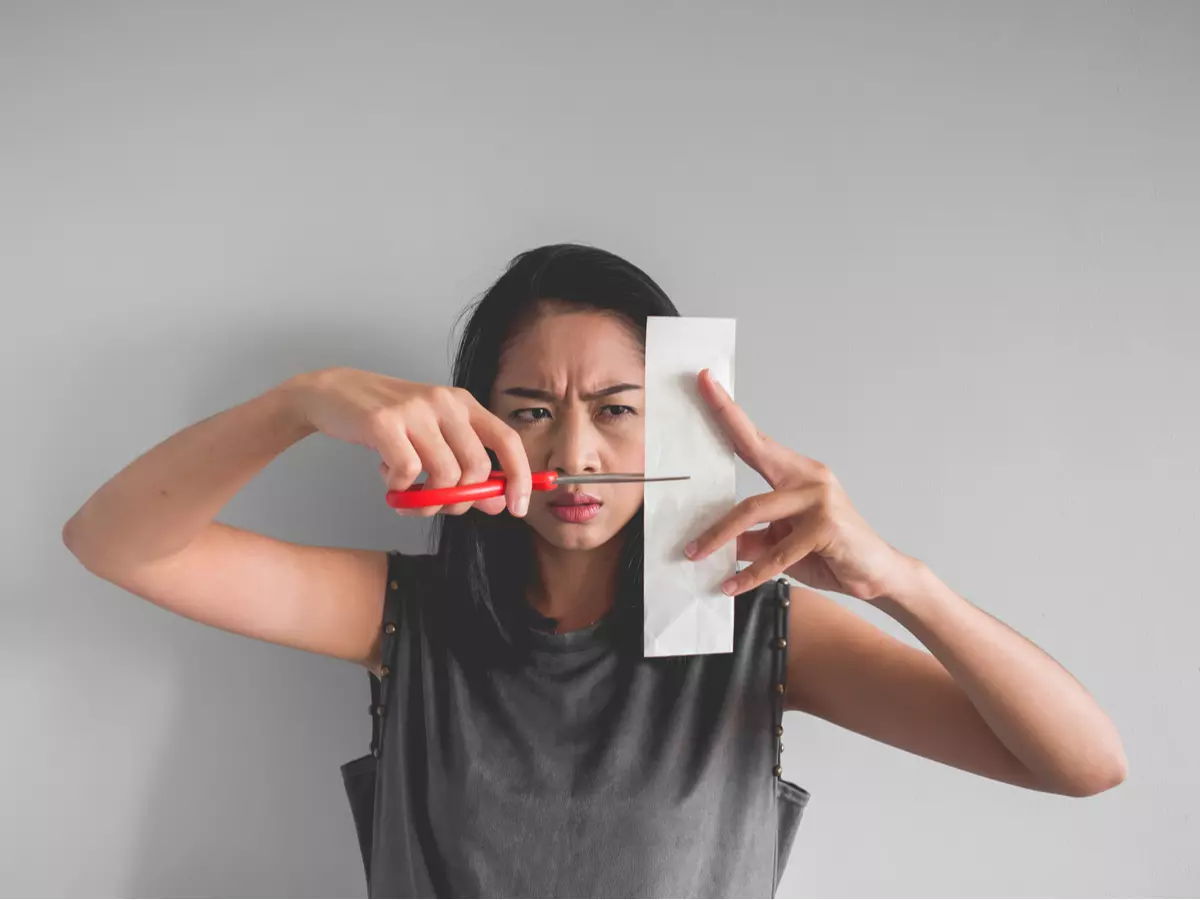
(686, 611)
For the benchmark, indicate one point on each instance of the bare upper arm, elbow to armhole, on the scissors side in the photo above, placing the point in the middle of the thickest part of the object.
(326, 601)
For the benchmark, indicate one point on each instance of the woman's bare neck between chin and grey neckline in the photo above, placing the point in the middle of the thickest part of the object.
(575, 587)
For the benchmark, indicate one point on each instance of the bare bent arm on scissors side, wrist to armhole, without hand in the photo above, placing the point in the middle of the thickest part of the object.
(151, 530)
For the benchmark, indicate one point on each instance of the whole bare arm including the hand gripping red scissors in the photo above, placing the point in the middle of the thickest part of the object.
(151, 530)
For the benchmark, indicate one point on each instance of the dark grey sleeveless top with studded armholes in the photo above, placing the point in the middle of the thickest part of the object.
(589, 771)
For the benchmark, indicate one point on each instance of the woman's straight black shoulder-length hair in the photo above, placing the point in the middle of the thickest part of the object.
(487, 561)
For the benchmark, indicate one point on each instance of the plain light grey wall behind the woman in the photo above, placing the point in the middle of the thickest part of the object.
(962, 244)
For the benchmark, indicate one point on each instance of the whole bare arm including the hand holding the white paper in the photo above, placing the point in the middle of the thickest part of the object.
(985, 699)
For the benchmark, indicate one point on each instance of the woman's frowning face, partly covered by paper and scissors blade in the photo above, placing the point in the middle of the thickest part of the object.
(571, 385)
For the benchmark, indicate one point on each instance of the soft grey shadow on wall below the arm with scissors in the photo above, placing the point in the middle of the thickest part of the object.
(244, 800)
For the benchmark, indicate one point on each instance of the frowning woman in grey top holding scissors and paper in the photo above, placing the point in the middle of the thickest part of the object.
(525, 746)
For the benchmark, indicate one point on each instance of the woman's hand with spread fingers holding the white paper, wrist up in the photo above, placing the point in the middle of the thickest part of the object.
(813, 535)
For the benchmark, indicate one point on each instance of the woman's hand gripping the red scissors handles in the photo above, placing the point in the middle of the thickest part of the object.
(418, 428)
